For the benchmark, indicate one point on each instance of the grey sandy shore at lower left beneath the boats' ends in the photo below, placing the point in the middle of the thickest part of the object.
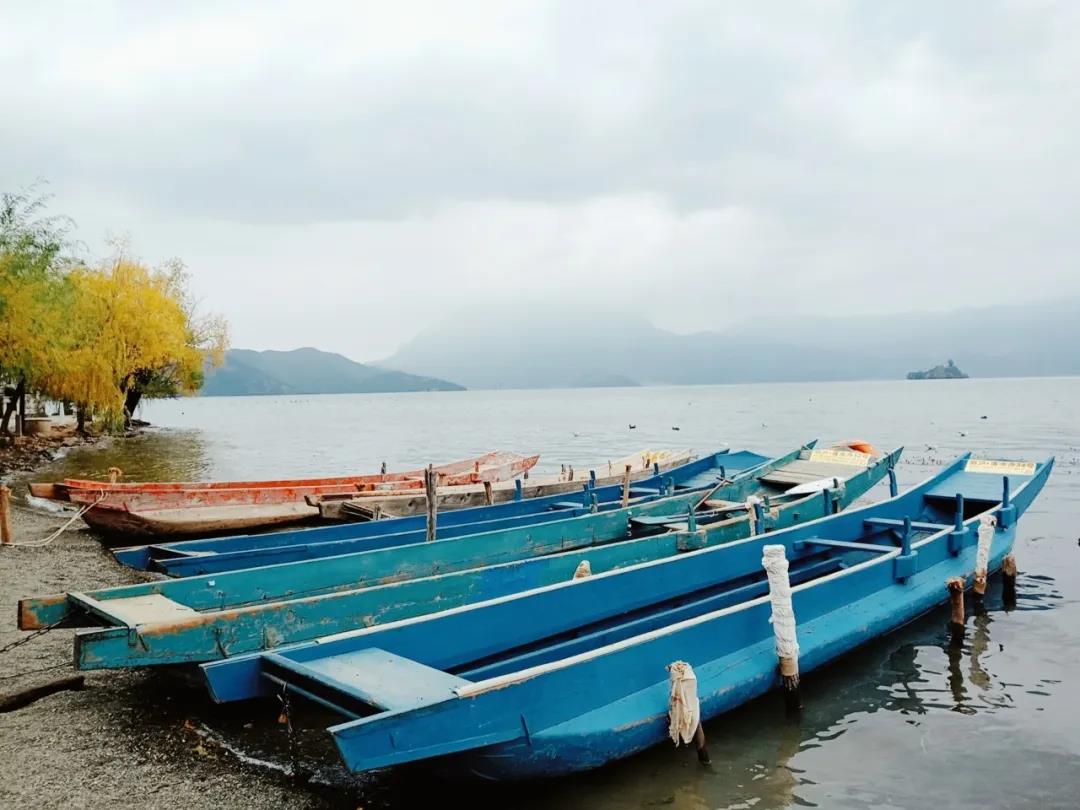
(138, 738)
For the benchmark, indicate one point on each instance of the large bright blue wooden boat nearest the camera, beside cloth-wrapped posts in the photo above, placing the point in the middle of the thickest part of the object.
(574, 676)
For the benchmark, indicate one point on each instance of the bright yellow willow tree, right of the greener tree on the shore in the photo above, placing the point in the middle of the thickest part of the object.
(132, 332)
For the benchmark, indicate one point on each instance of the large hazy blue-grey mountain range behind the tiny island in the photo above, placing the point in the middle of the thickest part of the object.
(542, 348)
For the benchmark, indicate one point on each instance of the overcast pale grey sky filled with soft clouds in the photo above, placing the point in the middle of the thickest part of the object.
(344, 175)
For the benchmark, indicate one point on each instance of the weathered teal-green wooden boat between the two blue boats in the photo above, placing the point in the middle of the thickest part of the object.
(209, 617)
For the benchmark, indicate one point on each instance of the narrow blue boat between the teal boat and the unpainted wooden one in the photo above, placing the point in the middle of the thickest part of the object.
(212, 556)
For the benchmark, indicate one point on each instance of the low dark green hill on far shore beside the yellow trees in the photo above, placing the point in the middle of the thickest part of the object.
(309, 372)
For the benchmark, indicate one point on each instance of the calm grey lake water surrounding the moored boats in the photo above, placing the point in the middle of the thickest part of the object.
(907, 722)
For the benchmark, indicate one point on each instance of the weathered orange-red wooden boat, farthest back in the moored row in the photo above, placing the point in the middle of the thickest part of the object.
(196, 508)
